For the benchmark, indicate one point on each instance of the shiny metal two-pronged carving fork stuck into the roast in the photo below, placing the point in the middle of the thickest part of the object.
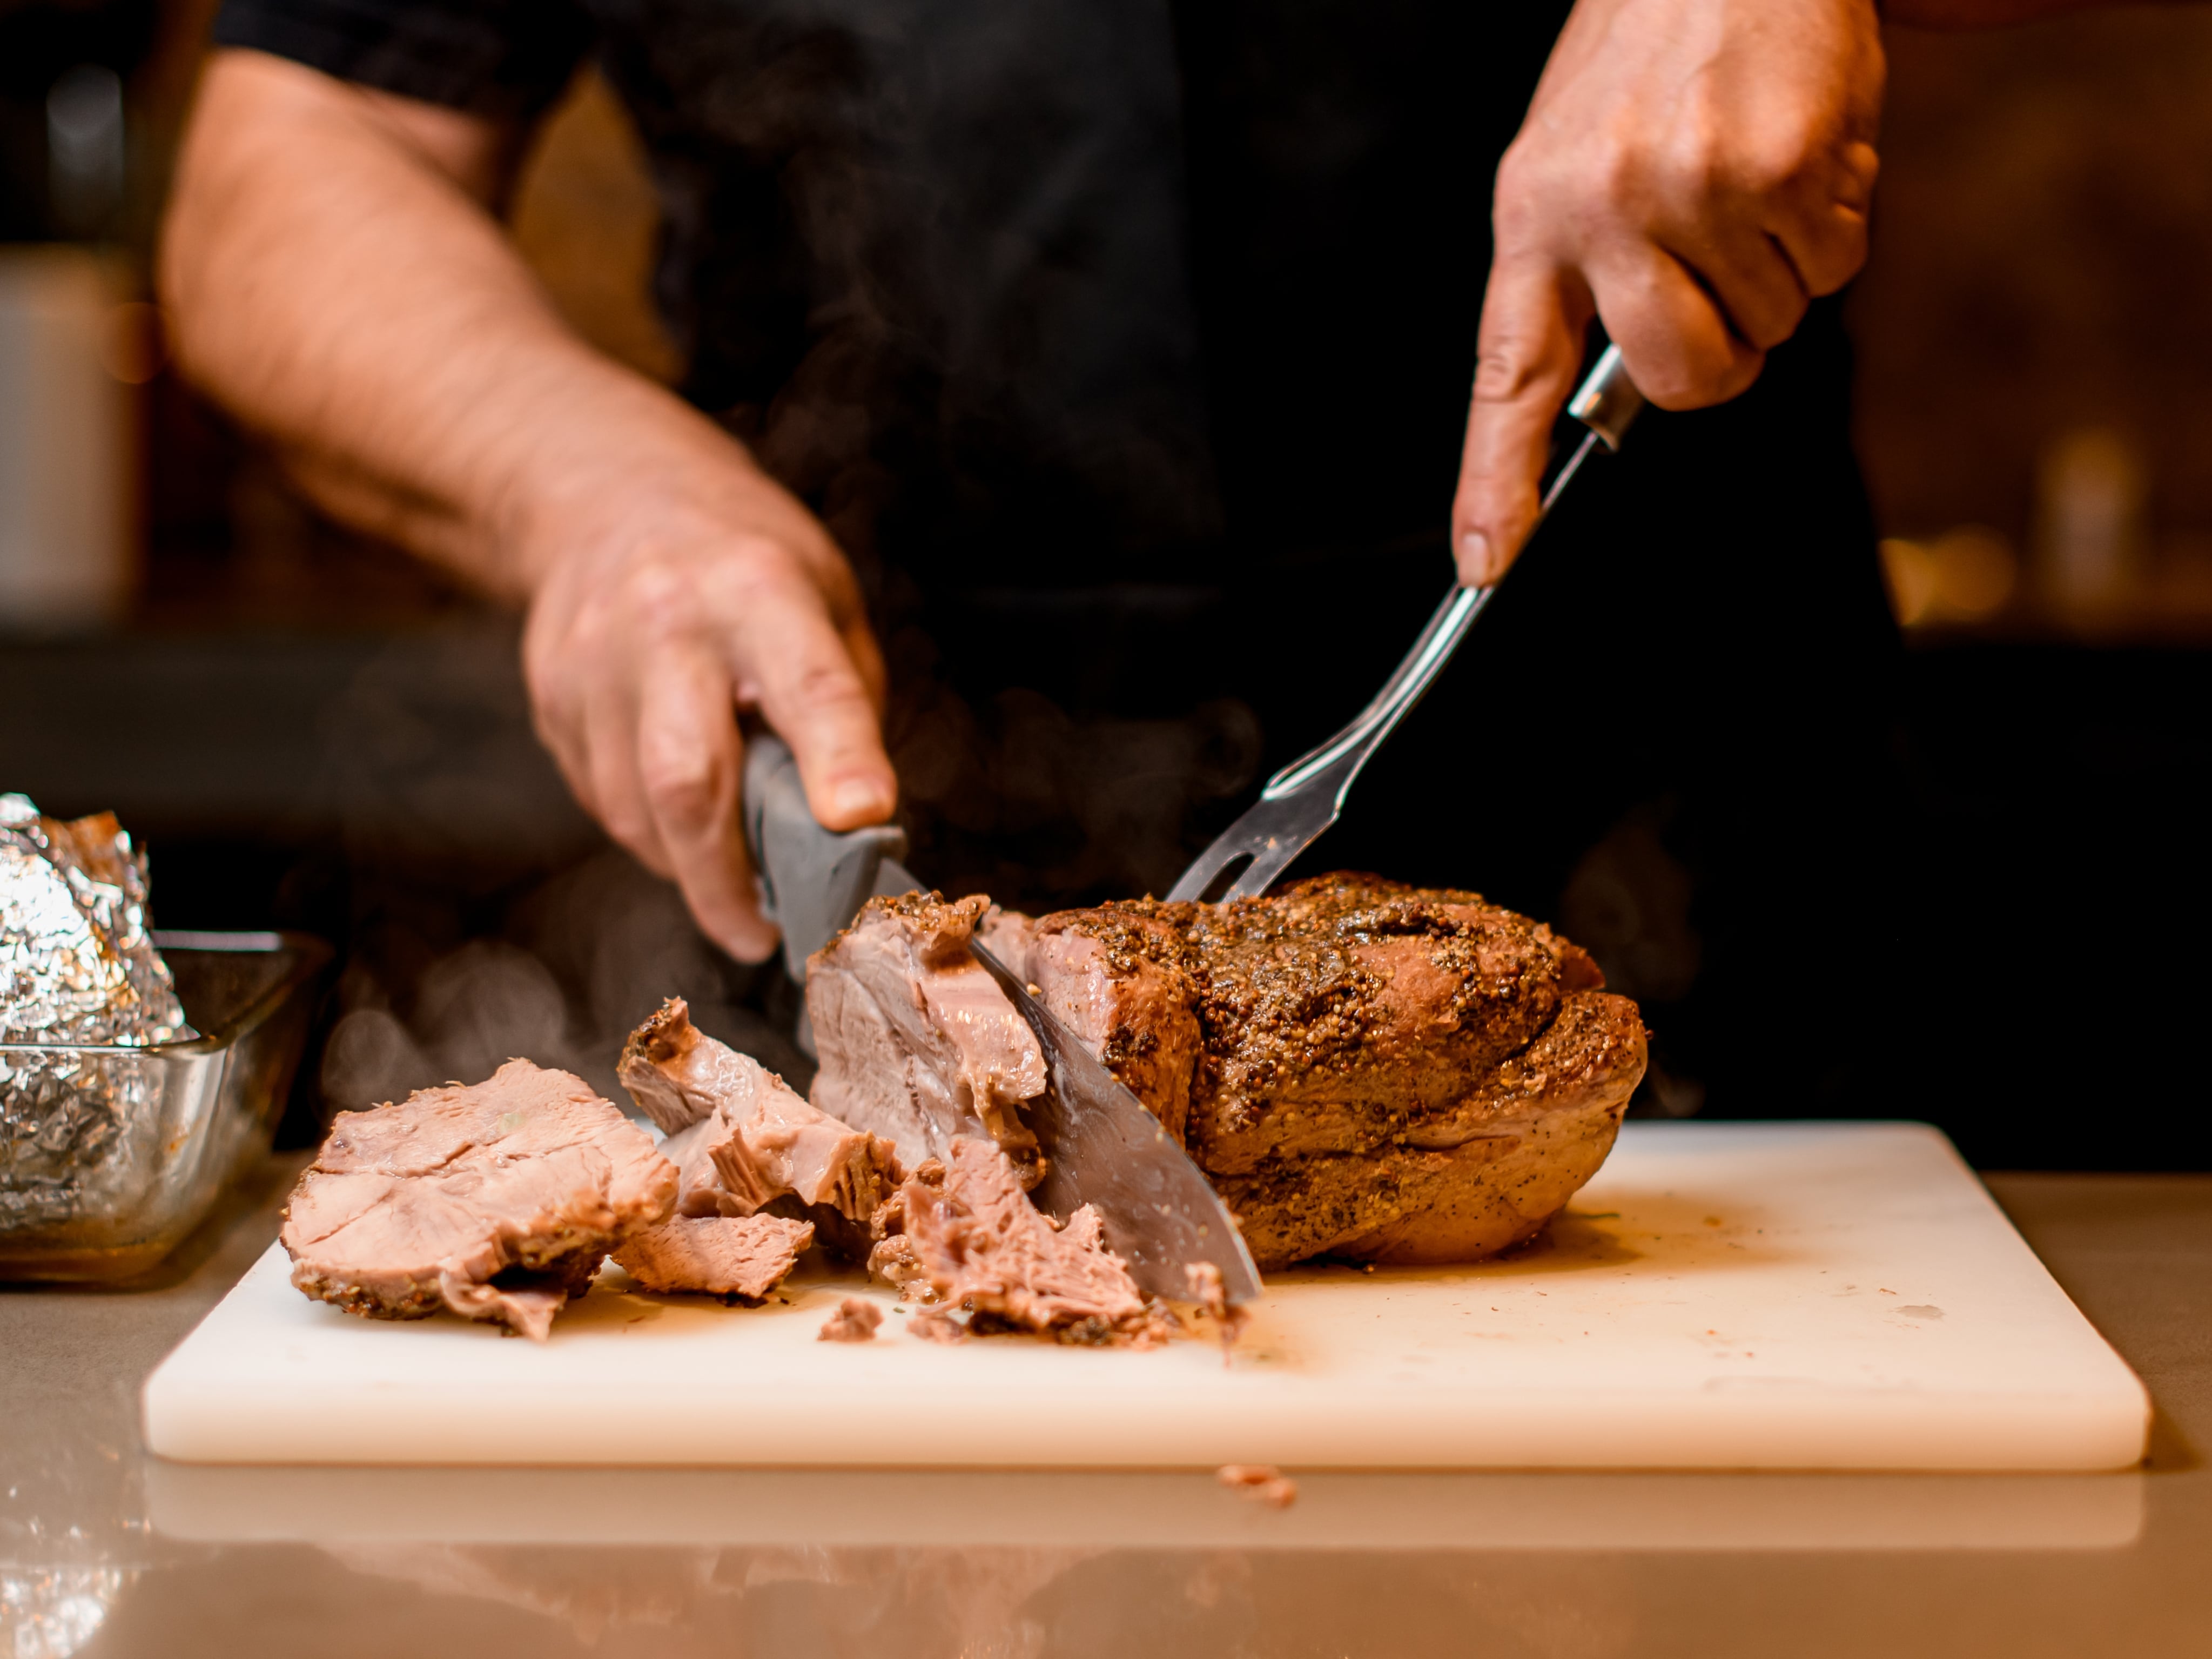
(1605, 406)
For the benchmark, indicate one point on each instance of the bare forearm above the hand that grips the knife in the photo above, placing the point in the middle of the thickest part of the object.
(342, 293)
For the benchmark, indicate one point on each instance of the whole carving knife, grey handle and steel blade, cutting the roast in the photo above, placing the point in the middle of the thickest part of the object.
(1160, 1211)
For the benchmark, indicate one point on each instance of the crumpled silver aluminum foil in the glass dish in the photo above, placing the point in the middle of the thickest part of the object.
(76, 968)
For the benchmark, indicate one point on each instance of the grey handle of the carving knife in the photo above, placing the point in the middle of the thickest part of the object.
(813, 879)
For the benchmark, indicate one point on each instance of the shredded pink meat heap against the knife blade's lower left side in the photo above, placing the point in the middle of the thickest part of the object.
(981, 1244)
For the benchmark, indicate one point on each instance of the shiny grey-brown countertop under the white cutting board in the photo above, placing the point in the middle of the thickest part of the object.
(105, 1552)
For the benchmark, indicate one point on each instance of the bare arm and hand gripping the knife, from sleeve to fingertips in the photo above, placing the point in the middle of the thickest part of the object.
(335, 280)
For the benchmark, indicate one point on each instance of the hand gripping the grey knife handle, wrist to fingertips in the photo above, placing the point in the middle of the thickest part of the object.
(651, 629)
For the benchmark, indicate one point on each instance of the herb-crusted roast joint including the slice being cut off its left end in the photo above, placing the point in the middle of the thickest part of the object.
(1364, 1070)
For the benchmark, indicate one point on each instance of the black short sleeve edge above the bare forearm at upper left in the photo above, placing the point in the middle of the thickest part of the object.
(503, 59)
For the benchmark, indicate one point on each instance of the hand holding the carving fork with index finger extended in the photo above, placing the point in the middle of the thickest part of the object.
(1693, 174)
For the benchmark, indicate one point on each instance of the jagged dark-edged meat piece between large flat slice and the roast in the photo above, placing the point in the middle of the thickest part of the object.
(744, 1140)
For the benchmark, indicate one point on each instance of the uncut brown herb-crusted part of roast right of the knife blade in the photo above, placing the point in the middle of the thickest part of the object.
(1379, 1072)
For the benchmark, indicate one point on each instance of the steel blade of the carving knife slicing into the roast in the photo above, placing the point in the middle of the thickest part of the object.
(1162, 1215)
